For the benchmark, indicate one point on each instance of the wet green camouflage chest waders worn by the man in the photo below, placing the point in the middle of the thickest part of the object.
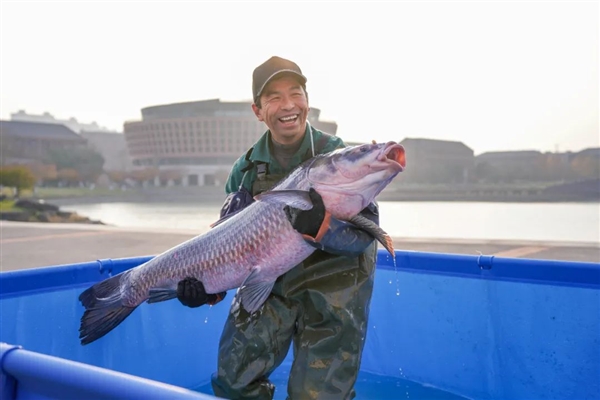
(322, 305)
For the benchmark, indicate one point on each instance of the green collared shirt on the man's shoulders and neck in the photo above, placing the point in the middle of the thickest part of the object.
(262, 153)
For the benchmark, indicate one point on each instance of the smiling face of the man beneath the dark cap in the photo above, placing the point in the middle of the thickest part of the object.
(284, 109)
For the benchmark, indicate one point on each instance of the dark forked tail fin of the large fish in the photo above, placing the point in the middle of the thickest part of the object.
(104, 309)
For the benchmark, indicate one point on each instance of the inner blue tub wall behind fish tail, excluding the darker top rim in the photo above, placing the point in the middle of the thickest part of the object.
(157, 342)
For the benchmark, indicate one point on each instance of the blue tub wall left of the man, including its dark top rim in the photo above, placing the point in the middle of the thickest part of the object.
(163, 335)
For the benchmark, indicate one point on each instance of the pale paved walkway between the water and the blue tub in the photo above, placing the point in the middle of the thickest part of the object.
(30, 245)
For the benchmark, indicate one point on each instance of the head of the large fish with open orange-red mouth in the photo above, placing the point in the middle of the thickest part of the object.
(350, 178)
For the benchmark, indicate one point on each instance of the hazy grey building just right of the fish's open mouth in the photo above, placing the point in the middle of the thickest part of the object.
(437, 161)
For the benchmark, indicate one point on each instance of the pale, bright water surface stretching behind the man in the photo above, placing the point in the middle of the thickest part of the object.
(572, 222)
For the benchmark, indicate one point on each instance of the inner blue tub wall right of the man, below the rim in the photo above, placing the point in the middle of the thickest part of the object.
(486, 339)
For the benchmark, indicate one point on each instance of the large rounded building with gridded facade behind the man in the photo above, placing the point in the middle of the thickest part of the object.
(196, 143)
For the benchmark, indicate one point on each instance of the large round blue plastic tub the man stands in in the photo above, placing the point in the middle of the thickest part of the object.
(441, 326)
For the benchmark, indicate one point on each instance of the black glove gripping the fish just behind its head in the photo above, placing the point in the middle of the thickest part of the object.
(309, 222)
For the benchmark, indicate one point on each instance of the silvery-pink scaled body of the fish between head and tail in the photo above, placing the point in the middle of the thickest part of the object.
(220, 267)
